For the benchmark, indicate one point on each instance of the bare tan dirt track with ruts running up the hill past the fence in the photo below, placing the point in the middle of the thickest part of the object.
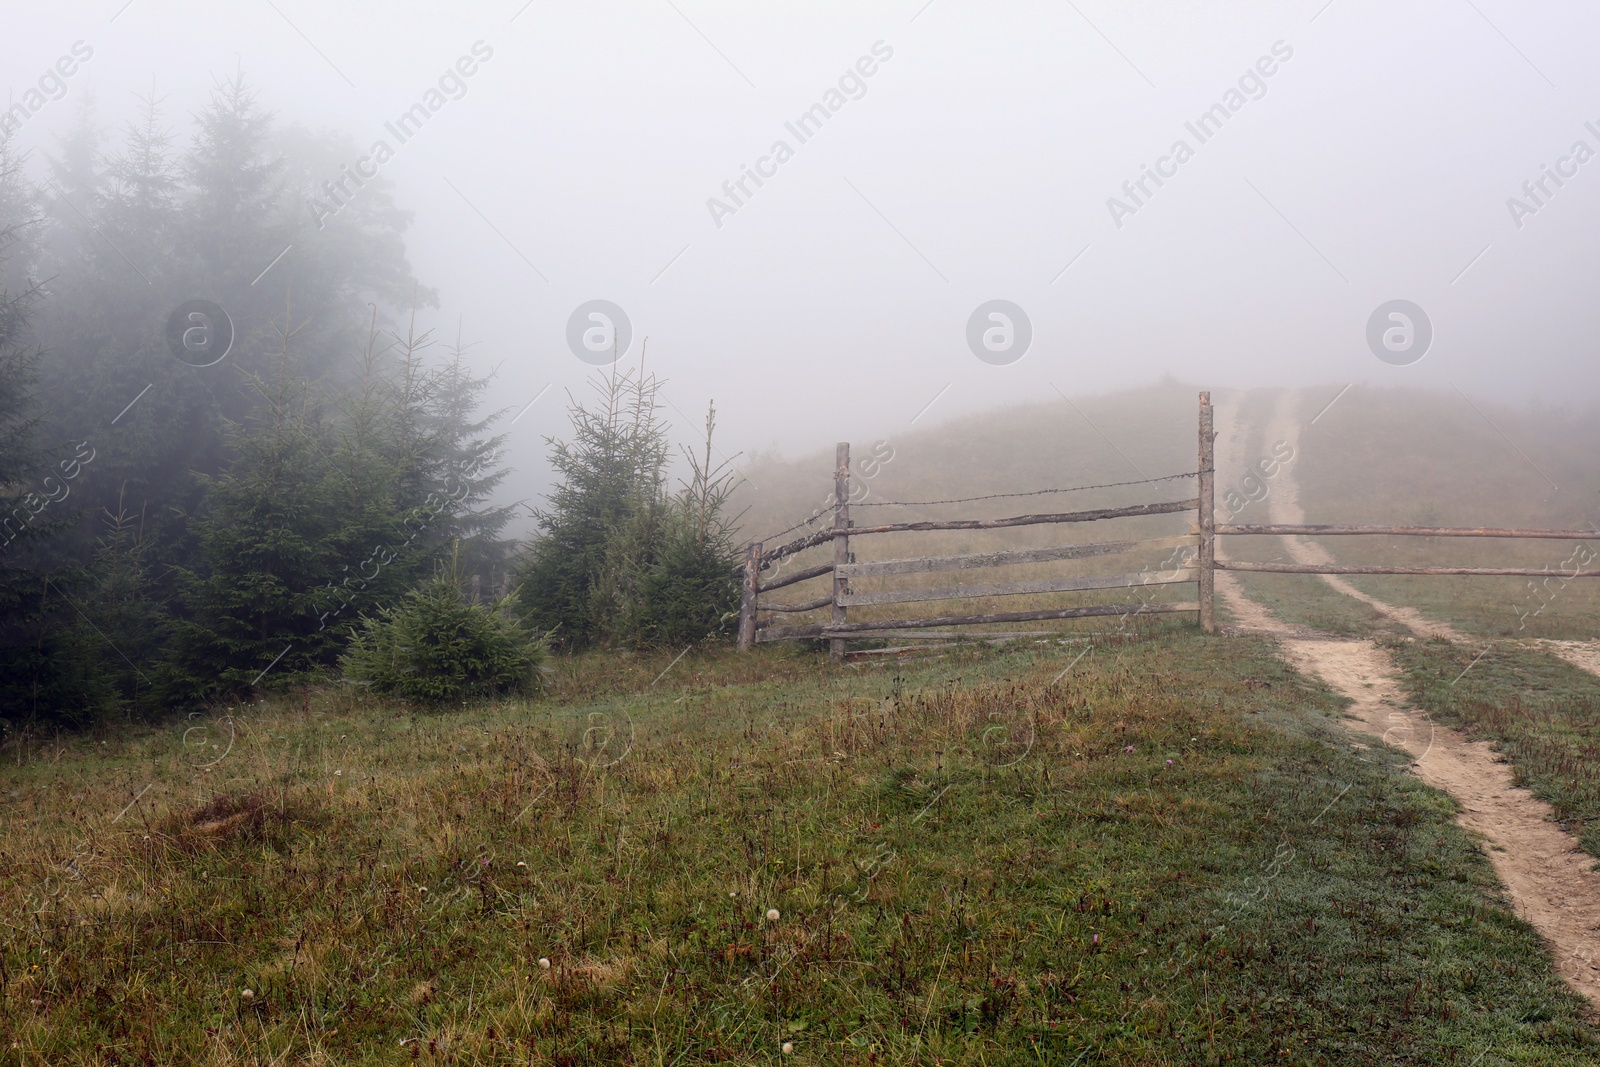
(1546, 876)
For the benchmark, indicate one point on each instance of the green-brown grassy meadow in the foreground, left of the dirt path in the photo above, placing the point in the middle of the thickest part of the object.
(1162, 850)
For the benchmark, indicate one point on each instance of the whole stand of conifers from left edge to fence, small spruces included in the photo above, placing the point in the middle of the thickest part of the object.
(302, 490)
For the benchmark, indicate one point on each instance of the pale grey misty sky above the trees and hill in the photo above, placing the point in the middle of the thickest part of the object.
(577, 162)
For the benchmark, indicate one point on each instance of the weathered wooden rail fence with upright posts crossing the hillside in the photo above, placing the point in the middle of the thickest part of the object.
(1201, 570)
